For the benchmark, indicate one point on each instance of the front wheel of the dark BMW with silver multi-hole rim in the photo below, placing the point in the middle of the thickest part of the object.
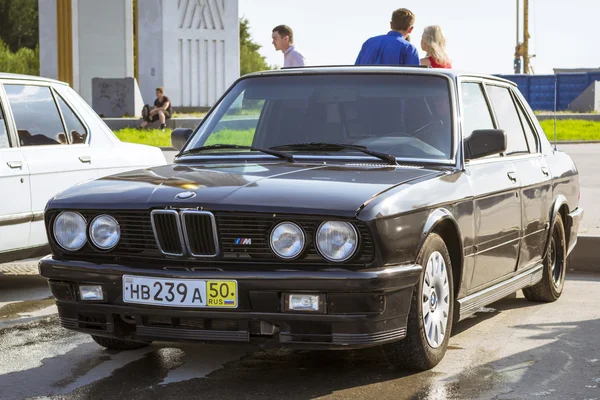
(430, 318)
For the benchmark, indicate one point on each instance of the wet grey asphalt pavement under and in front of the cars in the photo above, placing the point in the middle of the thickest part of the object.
(512, 349)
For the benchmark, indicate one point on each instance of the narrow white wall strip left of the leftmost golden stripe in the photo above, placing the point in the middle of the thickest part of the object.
(48, 39)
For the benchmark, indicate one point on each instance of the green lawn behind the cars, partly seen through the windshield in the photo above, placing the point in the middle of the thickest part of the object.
(568, 129)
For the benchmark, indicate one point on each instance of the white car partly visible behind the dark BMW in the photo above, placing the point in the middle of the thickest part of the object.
(51, 139)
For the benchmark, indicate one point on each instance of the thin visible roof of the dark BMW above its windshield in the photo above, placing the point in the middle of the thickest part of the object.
(384, 69)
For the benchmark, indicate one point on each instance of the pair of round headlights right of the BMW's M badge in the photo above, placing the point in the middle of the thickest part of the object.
(336, 241)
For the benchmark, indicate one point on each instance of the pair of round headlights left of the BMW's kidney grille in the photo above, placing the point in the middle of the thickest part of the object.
(71, 231)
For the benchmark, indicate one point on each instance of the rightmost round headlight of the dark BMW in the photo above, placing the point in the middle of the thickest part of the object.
(337, 240)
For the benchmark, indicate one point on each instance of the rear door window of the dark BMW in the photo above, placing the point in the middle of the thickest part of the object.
(508, 119)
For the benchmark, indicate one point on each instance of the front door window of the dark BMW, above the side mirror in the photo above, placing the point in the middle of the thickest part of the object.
(476, 113)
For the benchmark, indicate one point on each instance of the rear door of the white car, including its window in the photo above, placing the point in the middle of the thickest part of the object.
(55, 163)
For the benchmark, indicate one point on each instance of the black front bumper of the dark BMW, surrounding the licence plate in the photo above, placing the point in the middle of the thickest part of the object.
(363, 309)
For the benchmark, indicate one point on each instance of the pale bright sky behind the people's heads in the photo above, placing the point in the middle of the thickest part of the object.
(480, 34)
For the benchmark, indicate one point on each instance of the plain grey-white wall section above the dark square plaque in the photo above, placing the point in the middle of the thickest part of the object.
(105, 42)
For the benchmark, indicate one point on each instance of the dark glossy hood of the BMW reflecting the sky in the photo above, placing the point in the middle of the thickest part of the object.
(268, 187)
